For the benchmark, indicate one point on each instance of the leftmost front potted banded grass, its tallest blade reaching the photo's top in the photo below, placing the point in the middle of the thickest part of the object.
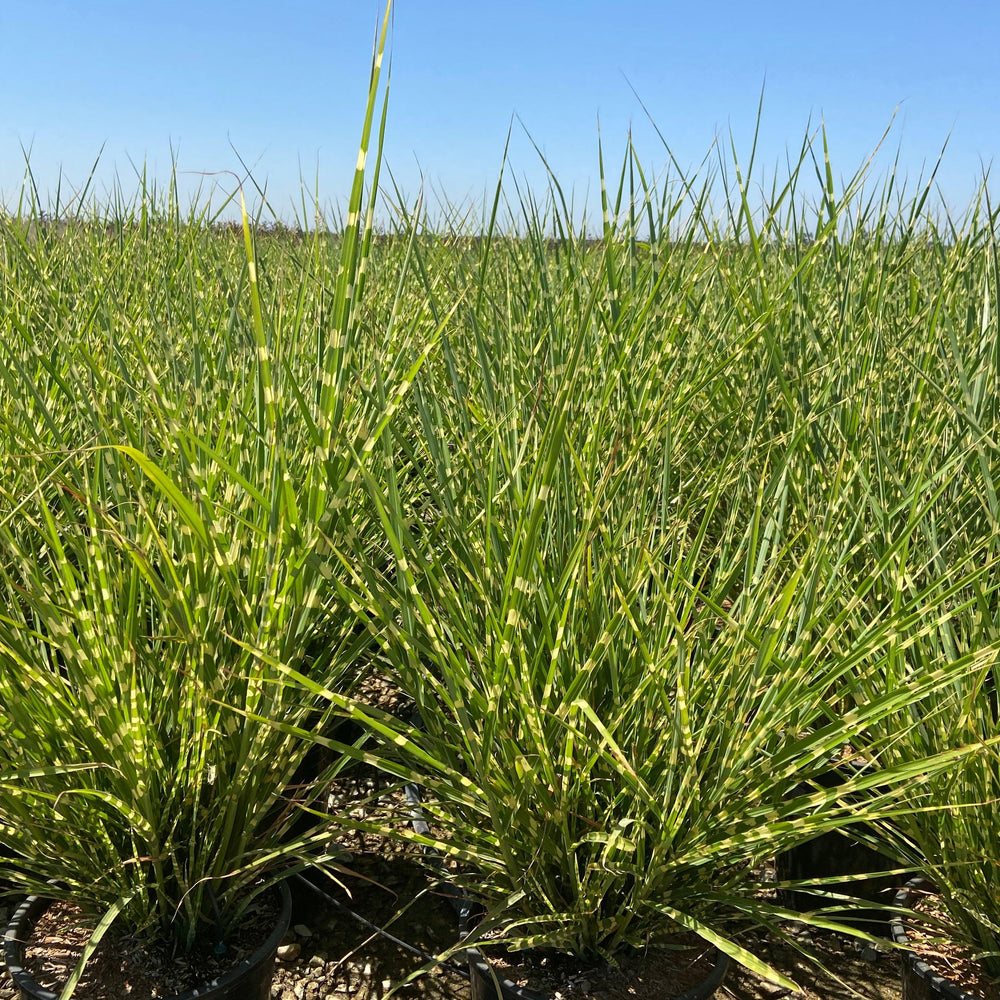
(167, 552)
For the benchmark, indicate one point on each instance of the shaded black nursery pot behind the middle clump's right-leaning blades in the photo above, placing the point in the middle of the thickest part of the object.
(839, 853)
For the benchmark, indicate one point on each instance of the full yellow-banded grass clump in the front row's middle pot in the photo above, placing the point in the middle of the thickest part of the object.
(617, 678)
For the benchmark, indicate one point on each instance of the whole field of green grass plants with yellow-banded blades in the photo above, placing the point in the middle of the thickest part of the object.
(653, 524)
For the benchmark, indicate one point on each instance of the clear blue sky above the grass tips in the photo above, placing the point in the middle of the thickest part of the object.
(285, 83)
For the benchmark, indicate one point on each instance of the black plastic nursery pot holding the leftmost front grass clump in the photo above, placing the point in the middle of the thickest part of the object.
(250, 980)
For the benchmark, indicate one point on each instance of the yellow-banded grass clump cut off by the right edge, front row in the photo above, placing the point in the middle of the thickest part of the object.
(952, 828)
